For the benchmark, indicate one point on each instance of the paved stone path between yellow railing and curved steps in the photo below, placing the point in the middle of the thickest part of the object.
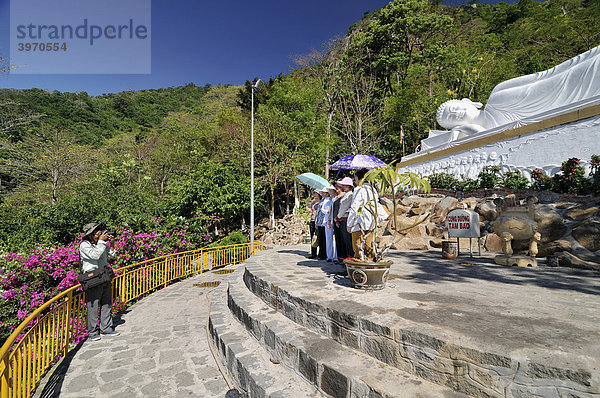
(162, 351)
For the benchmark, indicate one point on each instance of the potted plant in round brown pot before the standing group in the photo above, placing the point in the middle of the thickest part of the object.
(371, 273)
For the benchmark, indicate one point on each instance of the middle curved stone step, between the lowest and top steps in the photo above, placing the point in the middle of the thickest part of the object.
(336, 370)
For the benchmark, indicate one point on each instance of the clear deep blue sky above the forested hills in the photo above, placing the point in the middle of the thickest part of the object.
(226, 41)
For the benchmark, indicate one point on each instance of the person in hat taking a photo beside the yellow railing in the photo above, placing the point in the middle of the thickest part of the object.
(94, 253)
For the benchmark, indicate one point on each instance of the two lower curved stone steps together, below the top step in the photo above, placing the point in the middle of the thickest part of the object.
(269, 355)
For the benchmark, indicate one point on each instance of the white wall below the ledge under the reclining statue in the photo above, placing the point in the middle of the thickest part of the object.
(544, 149)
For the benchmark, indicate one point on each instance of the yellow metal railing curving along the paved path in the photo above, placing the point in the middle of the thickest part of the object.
(47, 334)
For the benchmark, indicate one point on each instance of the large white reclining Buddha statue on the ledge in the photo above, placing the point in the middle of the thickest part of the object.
(527, 99)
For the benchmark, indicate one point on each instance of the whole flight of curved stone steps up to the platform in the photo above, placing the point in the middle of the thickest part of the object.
(287, 329)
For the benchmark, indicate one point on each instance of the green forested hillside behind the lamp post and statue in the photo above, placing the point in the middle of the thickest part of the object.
(67, 157)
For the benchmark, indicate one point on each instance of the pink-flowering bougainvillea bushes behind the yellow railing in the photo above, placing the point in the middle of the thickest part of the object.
(27, 280)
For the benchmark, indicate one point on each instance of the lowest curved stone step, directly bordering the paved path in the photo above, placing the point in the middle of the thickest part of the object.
(247, 363)
